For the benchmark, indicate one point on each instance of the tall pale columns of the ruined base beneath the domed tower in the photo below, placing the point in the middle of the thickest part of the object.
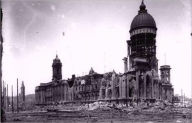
(146, 88)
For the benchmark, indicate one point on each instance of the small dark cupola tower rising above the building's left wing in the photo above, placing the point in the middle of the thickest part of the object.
(57, 65)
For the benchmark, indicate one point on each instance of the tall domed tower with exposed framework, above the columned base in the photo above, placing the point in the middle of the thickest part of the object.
(142, 43)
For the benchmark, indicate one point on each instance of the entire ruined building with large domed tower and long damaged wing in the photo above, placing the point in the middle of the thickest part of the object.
(139, 82)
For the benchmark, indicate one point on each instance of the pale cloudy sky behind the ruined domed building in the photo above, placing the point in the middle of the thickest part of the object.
(89, 33)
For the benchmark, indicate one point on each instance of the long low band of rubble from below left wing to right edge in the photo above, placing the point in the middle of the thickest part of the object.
(131, 108)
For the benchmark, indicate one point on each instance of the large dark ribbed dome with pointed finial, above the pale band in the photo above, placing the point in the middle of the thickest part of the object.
(143, 19)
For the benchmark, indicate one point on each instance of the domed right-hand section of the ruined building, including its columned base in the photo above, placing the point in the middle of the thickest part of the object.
(140, 80)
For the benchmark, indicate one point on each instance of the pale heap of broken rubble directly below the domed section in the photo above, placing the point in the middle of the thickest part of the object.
(134, 107)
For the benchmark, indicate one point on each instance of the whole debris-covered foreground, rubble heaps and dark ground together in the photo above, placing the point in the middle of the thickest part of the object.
(101, 112)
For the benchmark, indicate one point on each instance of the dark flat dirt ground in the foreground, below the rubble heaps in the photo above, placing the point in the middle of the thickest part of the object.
(114, 115)
